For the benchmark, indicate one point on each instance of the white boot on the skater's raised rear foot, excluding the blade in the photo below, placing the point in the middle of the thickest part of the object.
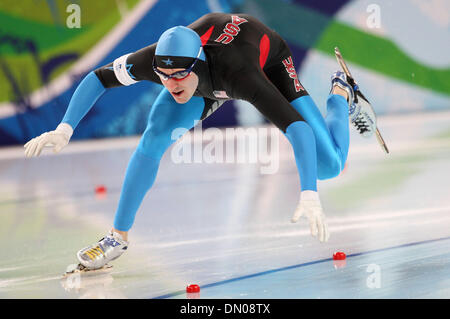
(361, 114)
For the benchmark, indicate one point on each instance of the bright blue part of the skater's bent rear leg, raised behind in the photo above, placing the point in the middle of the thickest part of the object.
(331, 135)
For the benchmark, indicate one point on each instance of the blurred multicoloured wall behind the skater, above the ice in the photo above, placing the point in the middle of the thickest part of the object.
(399, 51)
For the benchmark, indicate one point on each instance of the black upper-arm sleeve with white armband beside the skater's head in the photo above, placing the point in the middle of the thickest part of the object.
(130, 69)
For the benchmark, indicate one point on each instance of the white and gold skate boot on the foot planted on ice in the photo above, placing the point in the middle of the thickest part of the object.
(101, 253)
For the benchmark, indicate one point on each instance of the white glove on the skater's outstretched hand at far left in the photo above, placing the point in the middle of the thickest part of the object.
(57, 139)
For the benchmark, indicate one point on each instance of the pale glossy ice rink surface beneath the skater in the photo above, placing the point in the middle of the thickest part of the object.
(226, 227)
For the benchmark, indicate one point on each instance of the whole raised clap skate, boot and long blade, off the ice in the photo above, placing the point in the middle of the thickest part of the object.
(361, 112)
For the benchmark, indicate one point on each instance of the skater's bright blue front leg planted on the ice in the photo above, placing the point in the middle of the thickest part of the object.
(166, 115)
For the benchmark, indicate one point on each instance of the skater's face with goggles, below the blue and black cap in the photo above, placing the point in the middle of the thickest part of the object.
(181, 89)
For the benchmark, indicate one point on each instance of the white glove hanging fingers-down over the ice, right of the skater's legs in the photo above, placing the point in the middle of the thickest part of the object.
(310, 207)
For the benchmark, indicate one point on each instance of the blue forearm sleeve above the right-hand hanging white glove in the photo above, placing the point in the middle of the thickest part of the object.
(302, 139)
